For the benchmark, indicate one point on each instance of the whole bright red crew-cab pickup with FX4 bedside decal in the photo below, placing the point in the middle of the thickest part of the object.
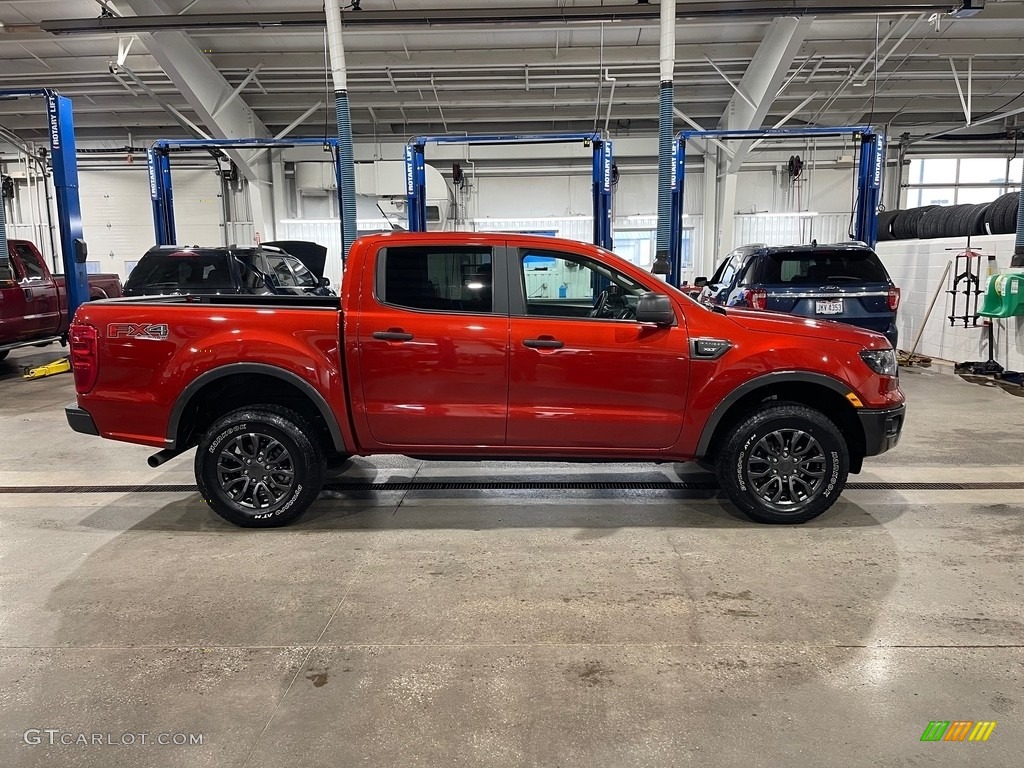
(485, 347)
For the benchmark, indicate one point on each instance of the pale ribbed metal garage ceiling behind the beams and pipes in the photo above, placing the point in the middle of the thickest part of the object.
(416, 77)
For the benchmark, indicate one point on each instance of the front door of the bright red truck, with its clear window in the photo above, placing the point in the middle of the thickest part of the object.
(585, 374)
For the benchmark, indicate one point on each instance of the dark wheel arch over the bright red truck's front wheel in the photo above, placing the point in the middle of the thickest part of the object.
(805, 388)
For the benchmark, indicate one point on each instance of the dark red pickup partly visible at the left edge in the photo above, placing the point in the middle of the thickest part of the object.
(34, 304)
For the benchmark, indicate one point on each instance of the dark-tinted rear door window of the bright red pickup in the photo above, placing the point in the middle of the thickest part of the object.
(451, 279)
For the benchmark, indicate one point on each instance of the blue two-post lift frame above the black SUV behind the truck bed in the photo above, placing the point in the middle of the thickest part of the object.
(162, 192)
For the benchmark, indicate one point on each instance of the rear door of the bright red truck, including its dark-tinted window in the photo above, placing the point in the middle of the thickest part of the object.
(433, 348)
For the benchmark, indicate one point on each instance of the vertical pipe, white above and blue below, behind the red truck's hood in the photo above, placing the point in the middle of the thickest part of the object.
(666, 137)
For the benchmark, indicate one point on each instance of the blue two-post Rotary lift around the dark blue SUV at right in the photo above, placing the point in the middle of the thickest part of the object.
(871, 169)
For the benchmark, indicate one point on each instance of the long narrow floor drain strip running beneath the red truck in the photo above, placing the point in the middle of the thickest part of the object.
(406, 487)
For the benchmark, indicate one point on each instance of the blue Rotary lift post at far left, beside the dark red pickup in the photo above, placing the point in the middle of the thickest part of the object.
(61, 129)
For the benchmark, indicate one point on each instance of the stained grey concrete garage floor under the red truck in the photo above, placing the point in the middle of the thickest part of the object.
(582, 629)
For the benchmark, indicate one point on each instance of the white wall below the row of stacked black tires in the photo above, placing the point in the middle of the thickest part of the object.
(917, 268)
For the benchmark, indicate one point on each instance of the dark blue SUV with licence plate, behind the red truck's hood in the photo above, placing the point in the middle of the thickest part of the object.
(845, 283)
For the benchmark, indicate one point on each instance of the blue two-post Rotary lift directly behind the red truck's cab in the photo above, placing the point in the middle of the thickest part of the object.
(416, 175)
